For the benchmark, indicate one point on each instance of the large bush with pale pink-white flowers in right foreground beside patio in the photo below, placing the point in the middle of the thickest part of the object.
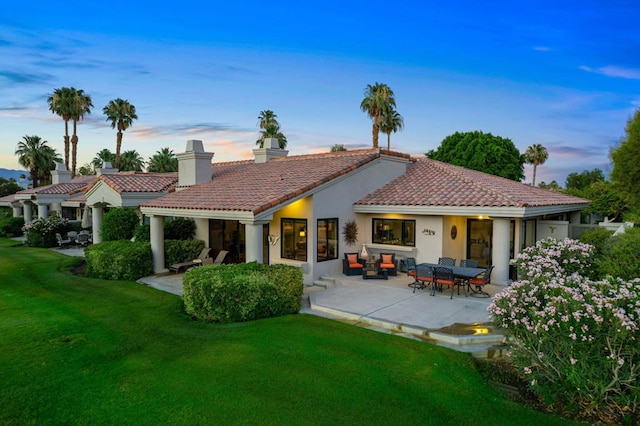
(577, 341)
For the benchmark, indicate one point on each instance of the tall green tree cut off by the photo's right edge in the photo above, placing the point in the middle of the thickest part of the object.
(626, 162)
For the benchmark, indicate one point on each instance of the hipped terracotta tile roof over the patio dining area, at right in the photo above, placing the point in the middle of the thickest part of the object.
(433, 183)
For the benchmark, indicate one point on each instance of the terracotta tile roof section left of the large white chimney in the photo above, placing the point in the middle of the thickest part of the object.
(138, 182)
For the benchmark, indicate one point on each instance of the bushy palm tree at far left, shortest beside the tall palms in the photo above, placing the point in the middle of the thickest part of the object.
(36, 156)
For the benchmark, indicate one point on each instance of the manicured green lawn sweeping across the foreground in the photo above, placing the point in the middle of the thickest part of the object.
(75, 350)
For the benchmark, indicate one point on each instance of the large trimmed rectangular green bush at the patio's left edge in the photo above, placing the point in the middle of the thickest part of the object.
(242, 292)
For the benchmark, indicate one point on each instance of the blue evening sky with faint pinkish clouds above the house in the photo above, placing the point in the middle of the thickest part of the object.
(566, 76)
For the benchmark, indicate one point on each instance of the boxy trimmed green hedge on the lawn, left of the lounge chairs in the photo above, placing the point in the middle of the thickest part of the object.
(119, 260)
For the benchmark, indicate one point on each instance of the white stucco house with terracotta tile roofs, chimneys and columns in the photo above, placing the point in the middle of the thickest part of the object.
(292, 209)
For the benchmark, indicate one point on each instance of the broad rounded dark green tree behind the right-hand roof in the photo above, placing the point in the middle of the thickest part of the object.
(481, 151)
